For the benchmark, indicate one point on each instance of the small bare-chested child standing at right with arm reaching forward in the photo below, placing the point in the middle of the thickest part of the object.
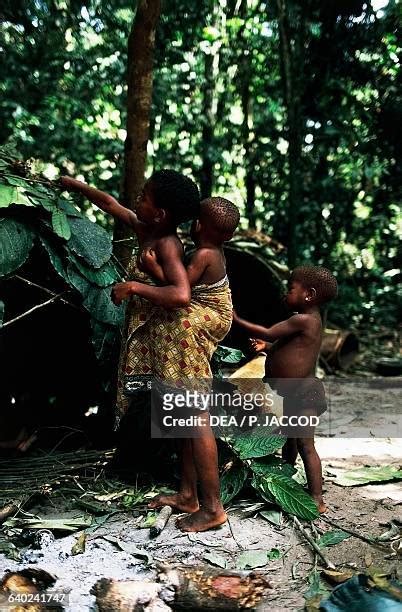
(291, 361)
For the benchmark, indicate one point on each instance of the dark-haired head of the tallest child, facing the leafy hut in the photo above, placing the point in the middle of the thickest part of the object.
(168, 196)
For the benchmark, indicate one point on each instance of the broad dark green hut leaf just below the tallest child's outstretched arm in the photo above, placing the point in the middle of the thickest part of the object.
(90, 241)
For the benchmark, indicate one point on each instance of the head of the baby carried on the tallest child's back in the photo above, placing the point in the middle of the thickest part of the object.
(217, 221)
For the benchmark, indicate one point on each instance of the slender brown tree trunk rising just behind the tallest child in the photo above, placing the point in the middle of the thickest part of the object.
(141, 44)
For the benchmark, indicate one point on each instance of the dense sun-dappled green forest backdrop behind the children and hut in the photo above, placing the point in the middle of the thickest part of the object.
(290, 108)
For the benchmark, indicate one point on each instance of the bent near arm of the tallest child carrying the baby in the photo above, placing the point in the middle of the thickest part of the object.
(176, 294)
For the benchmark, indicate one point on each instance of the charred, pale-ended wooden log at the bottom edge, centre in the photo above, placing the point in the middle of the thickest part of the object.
(183, 588)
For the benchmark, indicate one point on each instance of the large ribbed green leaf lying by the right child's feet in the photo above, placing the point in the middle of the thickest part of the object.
(290, 496)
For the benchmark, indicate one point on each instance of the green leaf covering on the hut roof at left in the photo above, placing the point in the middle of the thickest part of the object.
(79, 251)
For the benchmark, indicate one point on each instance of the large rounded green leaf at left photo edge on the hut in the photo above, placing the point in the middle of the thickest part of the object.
(16, 240)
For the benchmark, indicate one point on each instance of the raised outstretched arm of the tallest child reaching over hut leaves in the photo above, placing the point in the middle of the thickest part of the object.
(103, 200)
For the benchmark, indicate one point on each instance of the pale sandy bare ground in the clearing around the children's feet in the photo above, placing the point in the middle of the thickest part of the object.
(364, 509)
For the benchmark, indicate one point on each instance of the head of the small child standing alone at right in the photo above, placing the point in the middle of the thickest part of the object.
(312, 285)
